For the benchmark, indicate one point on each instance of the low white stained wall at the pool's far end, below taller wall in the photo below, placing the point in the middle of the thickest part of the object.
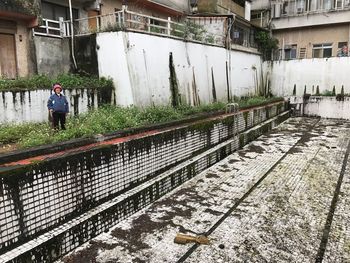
(325, 107)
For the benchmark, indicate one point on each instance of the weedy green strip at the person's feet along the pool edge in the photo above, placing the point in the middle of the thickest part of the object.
(108, 119)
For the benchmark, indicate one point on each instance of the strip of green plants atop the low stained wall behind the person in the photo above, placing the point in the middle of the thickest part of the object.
(68, 81)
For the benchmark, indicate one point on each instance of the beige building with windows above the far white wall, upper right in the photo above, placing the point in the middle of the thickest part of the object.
(311, 28)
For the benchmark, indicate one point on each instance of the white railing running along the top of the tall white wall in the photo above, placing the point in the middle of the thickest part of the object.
(131, 21)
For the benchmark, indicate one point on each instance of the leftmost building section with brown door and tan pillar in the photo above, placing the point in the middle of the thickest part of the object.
(16, 20)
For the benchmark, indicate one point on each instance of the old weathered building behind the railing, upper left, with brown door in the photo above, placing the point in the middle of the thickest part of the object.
(35, 35)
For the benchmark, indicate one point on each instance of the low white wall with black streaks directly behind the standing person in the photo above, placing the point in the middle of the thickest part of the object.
(31, 106)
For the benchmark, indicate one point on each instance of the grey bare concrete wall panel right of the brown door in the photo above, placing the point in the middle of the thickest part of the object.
(53, 55)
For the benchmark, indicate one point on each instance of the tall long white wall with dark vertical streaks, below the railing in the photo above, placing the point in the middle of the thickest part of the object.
(139, 66)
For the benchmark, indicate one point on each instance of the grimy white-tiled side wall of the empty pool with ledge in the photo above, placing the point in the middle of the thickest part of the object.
(70, 197)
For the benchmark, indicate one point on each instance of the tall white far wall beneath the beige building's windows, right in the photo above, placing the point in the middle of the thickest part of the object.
(324, 72)
